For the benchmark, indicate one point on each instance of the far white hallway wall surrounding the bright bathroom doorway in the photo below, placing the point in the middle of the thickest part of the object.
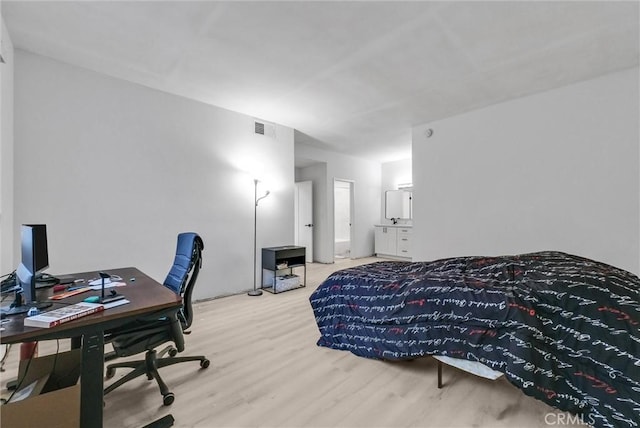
(366, 212)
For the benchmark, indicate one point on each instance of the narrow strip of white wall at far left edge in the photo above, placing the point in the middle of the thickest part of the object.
(6, 154)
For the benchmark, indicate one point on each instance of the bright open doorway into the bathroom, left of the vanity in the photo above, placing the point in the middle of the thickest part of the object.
(342, 218)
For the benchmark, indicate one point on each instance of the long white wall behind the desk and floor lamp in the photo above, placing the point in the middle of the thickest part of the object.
(117, 170)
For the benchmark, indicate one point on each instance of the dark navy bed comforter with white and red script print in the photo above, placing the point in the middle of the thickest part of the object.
(564, 329)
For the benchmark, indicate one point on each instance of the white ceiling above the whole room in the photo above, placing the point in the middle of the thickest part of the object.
(353, 77)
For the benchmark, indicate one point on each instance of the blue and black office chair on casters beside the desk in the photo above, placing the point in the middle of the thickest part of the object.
(148, 333)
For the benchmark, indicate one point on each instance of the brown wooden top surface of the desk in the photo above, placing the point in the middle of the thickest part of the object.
(145, 295)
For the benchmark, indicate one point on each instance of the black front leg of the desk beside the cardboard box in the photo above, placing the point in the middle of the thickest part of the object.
(91, 381)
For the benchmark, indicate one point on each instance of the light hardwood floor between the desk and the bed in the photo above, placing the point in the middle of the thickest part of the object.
(267, 371)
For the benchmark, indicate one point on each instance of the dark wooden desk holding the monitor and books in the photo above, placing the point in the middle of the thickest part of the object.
(146, 296)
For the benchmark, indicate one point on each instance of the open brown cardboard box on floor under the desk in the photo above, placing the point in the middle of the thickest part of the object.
(51, 393)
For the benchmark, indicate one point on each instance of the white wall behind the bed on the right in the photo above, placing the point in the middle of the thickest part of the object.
(554, 171)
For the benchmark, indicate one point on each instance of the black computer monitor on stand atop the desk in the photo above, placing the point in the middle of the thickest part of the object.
(35, 259)
